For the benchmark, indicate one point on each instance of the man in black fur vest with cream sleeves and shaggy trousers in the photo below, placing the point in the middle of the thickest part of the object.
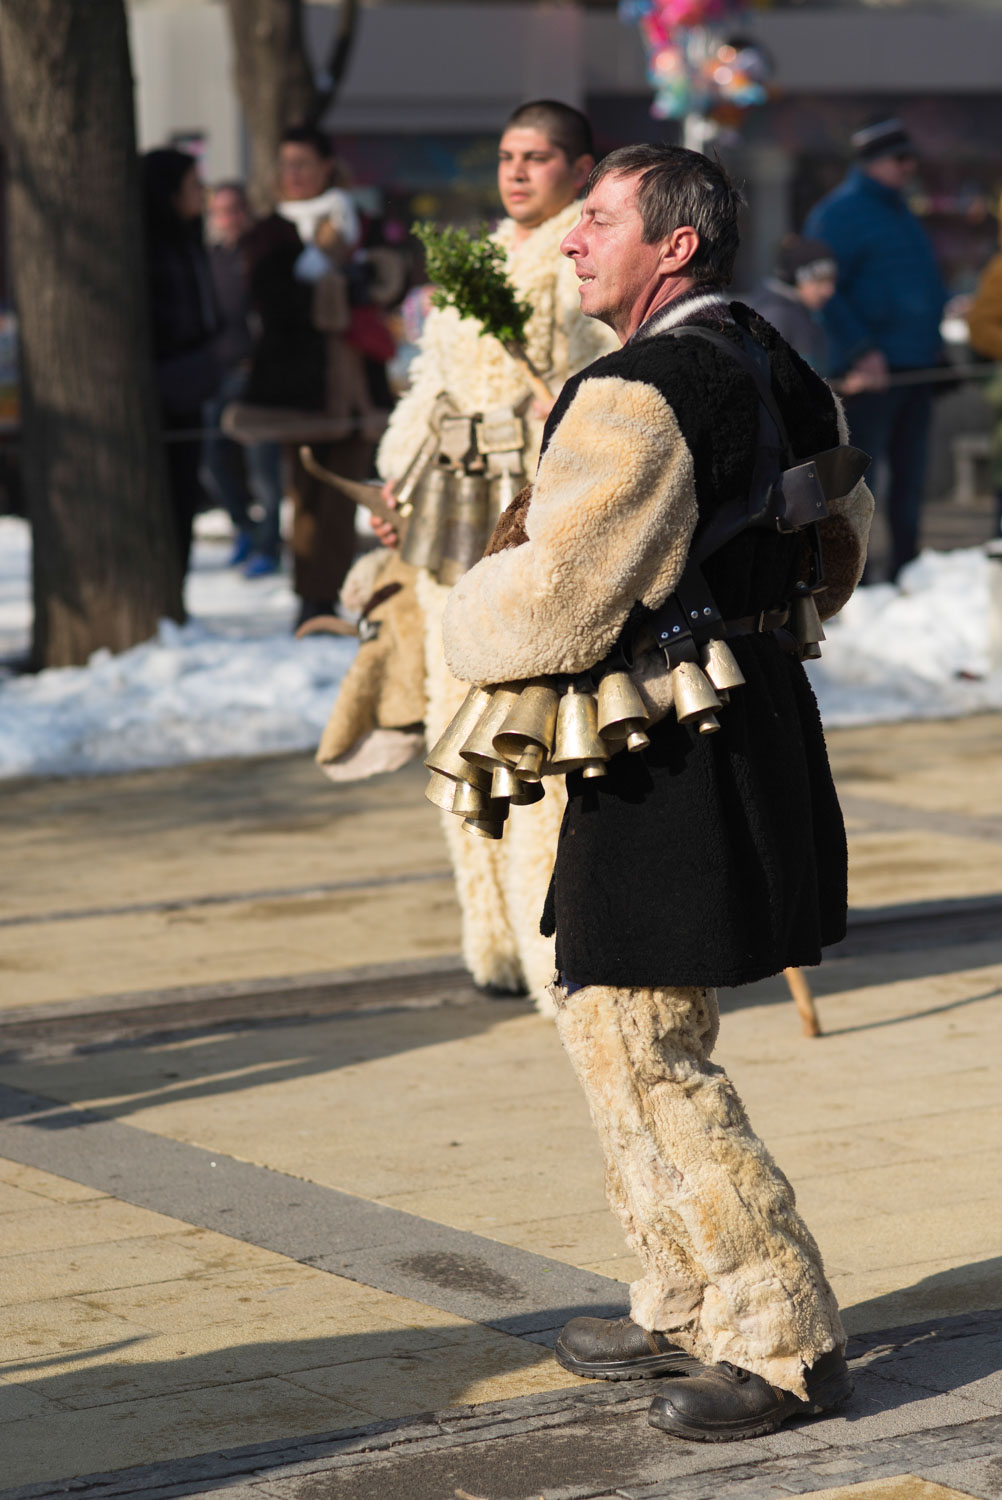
(712, 857)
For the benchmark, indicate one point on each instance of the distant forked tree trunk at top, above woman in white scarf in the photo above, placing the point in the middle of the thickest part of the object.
(275, 80)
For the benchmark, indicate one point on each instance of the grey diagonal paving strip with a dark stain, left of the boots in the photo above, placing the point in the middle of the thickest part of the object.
(469, 1276)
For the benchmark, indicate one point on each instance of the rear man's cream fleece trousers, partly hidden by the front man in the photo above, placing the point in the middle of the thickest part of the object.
(502, 884)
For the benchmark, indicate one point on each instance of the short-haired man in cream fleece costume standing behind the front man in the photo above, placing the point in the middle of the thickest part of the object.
(544, 161)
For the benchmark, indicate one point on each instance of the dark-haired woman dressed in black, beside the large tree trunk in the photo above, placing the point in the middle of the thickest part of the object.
(185, 325)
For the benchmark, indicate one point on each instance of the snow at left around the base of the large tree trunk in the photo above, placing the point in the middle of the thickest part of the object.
(233, 682)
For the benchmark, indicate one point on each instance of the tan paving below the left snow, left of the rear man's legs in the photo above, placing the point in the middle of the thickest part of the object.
(211, 874)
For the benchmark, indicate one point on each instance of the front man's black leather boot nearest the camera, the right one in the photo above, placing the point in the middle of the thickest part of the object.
(724, 1403)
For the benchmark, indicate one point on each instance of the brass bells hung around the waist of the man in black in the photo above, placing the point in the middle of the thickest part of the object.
(505, 740)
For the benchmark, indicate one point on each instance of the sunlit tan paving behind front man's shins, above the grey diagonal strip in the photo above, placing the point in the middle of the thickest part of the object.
(470, 1118)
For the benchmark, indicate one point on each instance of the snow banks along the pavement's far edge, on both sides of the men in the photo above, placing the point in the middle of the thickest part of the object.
(236, 683)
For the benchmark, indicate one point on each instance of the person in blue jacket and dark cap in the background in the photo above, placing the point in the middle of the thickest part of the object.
(884, 319)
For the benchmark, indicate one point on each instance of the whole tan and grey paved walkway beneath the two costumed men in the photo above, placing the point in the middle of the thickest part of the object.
(299, 1214)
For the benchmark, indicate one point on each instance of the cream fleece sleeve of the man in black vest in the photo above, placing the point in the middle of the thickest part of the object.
(613, 514)
